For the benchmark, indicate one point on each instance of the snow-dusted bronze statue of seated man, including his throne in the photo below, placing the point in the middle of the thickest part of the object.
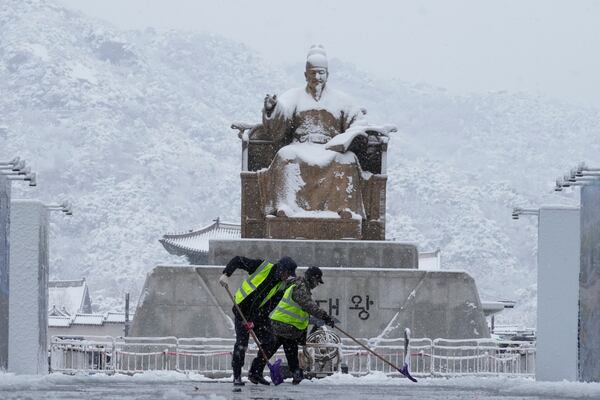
(315, 168)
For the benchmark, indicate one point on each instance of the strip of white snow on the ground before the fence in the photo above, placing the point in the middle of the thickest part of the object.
(175, 385)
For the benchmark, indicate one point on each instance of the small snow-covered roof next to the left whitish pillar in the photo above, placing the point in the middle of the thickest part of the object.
(69, 296)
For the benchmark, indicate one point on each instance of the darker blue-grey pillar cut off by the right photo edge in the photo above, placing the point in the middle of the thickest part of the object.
(589, 285)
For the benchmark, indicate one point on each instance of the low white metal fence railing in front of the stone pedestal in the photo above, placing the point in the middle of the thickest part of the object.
(212, 356)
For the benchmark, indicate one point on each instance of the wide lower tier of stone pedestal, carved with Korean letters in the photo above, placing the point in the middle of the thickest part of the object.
(369, 302)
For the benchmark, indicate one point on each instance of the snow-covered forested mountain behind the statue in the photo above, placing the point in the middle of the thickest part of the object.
(133, 127)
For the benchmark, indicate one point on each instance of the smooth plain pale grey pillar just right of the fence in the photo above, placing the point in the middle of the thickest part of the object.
(557, 294)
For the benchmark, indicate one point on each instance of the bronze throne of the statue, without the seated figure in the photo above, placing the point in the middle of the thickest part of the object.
(258, 151)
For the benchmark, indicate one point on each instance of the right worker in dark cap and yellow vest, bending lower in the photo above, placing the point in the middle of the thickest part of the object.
(289, 321)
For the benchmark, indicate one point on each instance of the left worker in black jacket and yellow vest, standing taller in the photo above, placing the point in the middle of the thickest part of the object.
(258, 295)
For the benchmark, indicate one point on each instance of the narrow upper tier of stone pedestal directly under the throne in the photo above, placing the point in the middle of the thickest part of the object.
(322, 253)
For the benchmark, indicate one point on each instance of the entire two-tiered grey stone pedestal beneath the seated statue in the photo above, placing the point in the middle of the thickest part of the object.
(373, 287)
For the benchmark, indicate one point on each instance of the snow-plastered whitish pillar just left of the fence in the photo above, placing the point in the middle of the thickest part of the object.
(28, 301)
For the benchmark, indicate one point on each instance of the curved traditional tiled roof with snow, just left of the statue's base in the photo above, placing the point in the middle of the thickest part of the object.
(196, 241)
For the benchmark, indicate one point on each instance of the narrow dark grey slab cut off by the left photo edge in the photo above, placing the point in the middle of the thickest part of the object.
(4, 268)
